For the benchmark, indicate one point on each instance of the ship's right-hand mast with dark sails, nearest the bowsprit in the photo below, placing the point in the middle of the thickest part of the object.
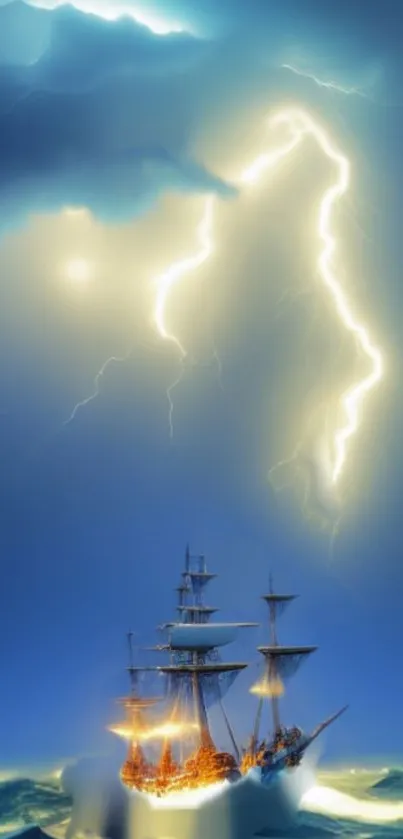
(281, 662)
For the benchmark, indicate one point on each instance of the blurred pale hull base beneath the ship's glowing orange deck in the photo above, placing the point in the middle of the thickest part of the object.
(102, 805)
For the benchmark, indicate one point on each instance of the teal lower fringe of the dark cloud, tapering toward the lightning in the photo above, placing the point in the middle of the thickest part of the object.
(115, 188)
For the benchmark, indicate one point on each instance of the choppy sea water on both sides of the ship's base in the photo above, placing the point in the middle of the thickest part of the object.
(354, 802)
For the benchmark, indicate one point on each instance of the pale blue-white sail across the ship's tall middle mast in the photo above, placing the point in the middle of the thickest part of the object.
(203, 637)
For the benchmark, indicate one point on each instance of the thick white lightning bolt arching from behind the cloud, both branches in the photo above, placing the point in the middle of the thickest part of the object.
(299, 124)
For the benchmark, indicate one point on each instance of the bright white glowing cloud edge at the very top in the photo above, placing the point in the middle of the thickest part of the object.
(113, 10)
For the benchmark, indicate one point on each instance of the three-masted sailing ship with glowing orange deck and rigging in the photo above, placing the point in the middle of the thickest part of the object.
(195, 679)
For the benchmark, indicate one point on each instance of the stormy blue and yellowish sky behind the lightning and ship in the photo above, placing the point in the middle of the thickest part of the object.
(135, 128)
